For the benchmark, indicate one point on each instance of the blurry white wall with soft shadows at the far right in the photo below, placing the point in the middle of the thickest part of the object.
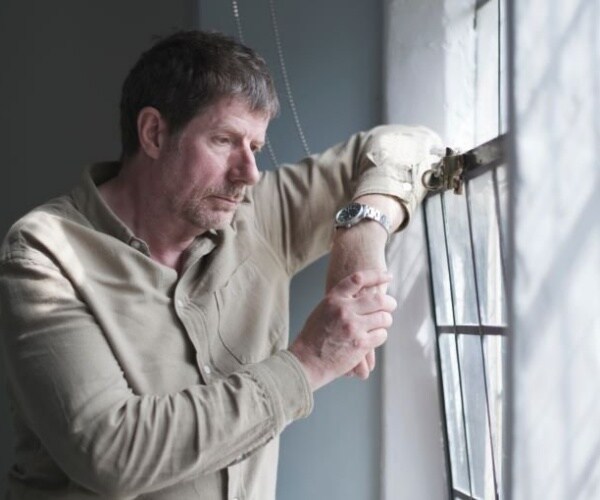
(556, 264)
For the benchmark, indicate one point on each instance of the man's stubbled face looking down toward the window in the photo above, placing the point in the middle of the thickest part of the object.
(206, 167)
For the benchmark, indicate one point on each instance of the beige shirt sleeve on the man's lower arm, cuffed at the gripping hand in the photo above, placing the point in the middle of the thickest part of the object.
(71, 392)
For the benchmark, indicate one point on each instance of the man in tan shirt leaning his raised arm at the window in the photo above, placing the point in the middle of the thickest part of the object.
(144, 317)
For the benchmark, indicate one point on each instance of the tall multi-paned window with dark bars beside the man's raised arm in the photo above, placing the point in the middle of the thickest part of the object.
(467, 249)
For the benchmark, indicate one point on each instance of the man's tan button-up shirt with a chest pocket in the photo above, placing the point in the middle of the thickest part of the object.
(128, 380)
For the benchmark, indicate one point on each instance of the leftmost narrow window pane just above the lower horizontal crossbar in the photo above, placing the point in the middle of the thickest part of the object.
(439, 262)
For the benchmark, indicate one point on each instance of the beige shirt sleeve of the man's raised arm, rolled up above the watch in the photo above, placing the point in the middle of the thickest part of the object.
(295, 205)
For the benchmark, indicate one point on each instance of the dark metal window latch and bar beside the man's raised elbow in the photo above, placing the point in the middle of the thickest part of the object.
(455, 168)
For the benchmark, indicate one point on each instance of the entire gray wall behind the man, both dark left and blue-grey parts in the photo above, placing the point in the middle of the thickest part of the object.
(63, 67)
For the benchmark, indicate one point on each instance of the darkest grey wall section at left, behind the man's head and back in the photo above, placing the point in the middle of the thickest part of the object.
(63, 64)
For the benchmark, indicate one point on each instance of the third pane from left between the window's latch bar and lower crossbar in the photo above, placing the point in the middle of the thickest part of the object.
(486, 243)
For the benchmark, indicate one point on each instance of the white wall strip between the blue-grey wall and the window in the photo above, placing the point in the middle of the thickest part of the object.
(430, 80)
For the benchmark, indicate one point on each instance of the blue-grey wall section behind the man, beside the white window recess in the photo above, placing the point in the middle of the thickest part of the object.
(333, 53)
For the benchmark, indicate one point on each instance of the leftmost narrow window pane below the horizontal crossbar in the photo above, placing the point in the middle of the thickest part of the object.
(454, 412)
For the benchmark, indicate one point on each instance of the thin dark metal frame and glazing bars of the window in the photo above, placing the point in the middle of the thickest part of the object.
(486, 163)
